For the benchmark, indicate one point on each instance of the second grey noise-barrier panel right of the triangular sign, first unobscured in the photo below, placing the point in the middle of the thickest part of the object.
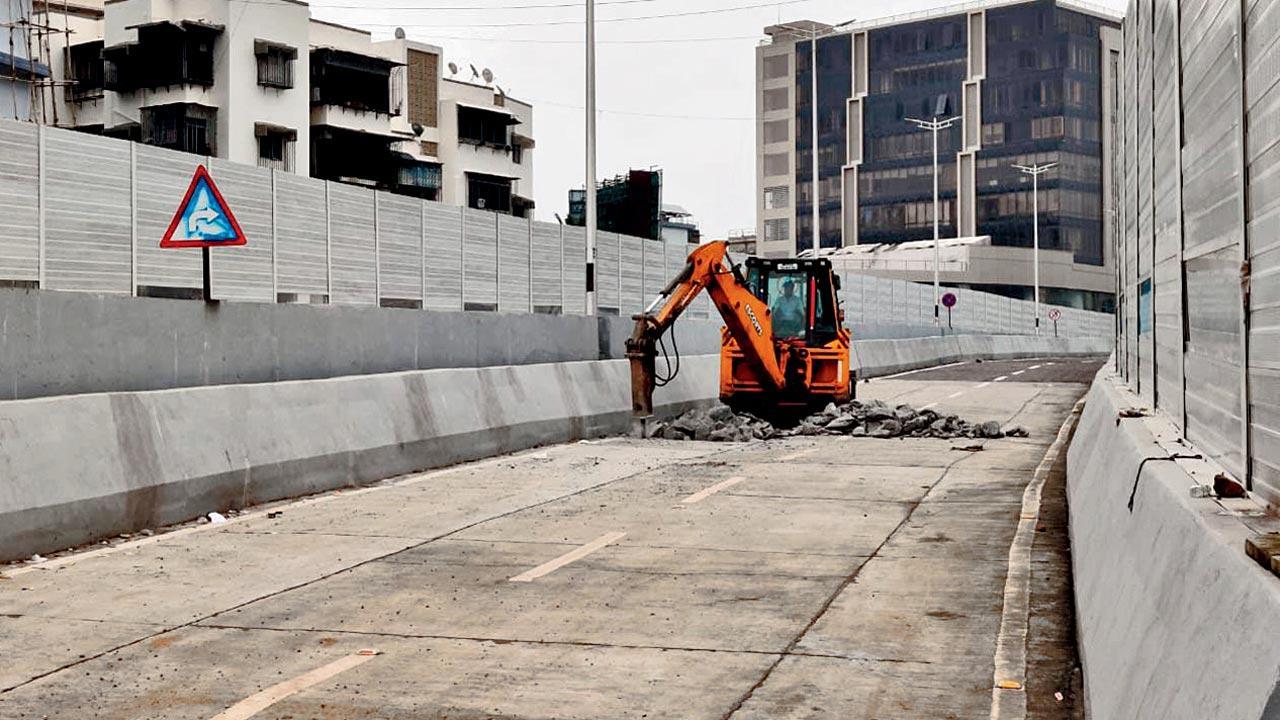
(301, 235)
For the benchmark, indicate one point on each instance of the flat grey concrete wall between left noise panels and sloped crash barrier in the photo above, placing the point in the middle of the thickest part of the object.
(66, 344)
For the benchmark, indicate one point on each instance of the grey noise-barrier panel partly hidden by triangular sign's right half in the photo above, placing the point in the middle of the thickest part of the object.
(245, 272)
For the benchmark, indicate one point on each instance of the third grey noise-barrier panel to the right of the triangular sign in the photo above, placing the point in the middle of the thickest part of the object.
(351, 240)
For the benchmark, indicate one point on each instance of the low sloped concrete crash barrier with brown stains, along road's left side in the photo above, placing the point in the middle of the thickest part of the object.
(79, 468)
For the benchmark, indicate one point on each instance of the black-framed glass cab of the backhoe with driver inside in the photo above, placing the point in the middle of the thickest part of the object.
(802, 297)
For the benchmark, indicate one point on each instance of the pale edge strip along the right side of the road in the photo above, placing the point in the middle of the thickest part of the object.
(1009, 682)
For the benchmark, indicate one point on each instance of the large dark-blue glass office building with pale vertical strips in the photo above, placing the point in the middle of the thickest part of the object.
(1023, 80)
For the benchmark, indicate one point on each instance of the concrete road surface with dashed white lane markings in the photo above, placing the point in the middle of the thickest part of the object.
(836, 578)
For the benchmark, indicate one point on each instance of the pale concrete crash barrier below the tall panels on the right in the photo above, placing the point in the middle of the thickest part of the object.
(1176, 622)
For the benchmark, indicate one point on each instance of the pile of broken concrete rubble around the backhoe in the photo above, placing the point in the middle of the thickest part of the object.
(853, 420)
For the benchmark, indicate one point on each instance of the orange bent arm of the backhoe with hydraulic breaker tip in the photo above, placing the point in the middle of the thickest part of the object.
(746, 317)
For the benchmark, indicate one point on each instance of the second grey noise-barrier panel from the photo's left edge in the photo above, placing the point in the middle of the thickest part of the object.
(89, 215)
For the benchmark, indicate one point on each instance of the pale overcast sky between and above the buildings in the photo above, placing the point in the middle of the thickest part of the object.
(685, 104)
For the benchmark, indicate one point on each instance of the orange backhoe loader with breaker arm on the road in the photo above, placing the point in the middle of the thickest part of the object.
(784, 348)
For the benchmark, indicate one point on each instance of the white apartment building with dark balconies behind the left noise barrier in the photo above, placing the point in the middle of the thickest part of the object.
(263, 83)
